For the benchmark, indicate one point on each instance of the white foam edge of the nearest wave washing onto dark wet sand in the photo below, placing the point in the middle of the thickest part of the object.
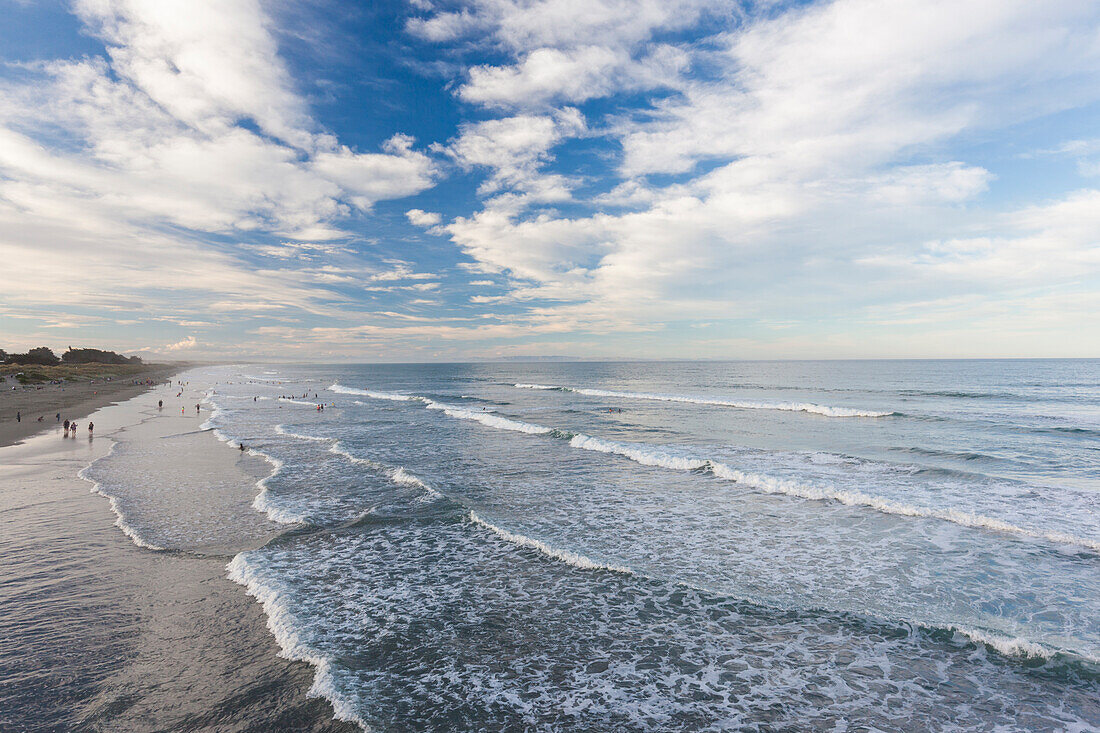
(283, 626)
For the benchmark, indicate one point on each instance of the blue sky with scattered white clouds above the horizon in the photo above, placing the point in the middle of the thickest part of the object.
(438, 181)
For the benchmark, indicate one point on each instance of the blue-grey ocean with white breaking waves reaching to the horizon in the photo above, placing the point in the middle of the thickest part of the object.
(667, 546)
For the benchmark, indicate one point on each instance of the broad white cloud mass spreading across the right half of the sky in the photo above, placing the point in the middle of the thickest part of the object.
(818, 124)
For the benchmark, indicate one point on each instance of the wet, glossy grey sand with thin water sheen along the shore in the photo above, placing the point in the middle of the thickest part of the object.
(100, 634)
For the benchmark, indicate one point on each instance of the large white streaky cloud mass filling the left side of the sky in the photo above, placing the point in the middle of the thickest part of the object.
(137, 167)
